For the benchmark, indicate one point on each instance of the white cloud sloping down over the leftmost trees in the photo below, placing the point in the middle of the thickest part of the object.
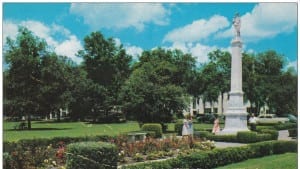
(67, 45)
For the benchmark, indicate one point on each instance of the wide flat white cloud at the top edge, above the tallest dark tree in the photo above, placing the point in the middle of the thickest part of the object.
(121, 15)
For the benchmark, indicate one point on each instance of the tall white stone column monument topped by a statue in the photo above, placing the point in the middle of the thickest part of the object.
(236, 115)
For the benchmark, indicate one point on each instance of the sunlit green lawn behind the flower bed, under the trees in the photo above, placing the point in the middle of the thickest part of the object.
(74, 129)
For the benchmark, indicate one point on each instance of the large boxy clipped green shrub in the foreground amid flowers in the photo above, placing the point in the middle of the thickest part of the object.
(91, 155)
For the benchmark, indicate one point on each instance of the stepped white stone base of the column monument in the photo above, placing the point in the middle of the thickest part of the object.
(235, 121)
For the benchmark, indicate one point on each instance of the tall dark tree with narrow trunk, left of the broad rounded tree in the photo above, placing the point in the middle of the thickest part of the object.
(107, 65)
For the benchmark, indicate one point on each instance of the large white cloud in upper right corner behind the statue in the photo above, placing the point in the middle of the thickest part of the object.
(266, 20)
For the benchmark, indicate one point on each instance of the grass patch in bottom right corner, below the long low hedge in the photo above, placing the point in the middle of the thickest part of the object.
(286, 161)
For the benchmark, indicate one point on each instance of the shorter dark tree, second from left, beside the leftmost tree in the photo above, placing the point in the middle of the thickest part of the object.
(55, 79)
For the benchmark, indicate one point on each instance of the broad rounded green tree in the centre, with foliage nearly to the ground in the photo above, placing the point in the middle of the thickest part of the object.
(151, 94)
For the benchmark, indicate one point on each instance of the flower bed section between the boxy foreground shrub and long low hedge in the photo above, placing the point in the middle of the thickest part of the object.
(152, 149)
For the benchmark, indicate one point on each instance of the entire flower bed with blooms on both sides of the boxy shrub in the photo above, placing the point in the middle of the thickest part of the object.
(45, 153)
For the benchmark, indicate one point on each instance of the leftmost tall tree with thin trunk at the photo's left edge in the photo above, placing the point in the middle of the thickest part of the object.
(24, 59)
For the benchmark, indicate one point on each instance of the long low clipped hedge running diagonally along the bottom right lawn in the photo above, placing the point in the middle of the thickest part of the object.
(221, 157)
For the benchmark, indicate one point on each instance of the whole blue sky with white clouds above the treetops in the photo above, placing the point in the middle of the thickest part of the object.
(195, 28)
